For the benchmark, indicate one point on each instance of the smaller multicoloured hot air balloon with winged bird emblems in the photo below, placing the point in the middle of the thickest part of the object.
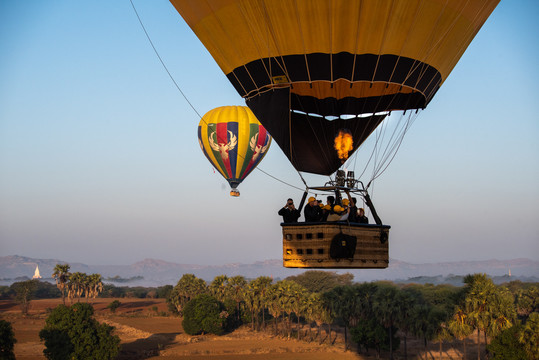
(234, 141)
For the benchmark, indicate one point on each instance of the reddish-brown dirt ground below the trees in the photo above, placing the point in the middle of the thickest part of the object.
(146, 335)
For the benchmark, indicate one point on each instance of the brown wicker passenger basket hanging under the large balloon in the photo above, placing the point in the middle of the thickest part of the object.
(309, 245)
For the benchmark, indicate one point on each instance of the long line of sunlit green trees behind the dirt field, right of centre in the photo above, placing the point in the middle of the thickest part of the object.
(375, 316)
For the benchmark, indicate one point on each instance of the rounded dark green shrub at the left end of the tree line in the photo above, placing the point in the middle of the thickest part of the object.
(204, 314)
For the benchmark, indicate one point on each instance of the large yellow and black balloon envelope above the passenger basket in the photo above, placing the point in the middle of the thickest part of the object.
(310, 68)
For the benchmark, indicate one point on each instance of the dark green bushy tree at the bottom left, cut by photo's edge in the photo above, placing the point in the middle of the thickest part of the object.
(73, 333)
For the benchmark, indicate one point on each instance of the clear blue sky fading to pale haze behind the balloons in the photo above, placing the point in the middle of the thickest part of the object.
(100, 162)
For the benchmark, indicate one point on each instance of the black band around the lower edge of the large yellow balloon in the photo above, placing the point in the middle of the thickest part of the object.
(391, 69)
